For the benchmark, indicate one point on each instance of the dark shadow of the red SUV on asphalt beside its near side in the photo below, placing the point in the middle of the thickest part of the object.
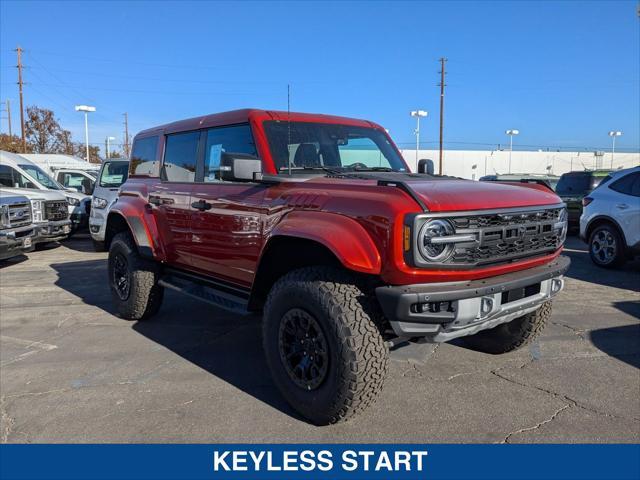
(226, 345)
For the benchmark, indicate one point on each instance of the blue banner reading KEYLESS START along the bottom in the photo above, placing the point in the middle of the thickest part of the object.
(317, 461)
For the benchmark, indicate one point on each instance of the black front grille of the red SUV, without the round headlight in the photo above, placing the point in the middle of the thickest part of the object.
(499, 236)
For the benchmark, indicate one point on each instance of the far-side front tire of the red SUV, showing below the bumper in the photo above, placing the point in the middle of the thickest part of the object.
(512, 335)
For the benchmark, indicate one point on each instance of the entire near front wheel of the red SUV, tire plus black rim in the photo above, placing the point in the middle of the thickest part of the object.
(325, 352)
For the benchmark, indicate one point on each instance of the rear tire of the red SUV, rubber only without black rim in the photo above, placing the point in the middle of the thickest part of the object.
(145, 295)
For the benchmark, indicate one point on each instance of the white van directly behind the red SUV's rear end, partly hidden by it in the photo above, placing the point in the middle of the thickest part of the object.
(112, 174)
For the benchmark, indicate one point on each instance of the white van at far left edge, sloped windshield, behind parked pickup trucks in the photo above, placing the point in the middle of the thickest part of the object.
(16, 165)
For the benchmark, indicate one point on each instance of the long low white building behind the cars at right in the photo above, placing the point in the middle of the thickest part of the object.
(473, 164)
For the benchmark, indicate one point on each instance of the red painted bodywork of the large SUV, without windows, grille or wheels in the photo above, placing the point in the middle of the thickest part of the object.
(357, 220)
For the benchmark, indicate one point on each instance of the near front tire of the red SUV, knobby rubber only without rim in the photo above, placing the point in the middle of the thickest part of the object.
(358, 355)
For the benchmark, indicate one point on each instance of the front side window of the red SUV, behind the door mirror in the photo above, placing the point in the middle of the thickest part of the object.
(222, 144)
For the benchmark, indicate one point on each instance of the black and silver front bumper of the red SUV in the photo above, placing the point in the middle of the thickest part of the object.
(444, 311)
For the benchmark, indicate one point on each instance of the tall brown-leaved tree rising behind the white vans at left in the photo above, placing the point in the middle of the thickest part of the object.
(43, 132)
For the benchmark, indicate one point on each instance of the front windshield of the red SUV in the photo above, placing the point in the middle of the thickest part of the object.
(331, 147)
